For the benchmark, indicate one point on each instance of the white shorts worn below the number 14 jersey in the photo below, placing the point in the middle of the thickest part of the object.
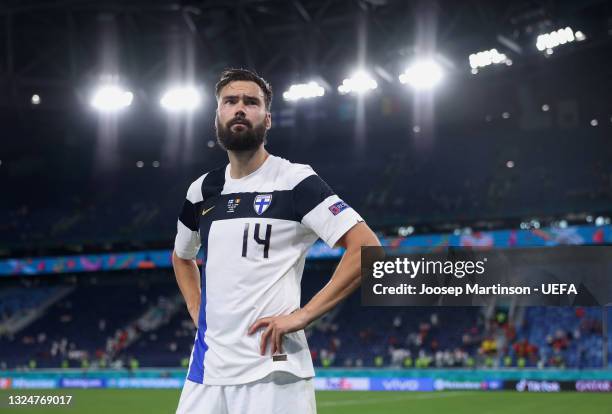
(278, 393)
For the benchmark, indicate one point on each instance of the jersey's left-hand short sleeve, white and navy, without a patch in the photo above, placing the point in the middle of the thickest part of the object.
(187, 242)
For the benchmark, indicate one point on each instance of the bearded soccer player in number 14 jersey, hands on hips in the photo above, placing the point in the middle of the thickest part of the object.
(255, 220)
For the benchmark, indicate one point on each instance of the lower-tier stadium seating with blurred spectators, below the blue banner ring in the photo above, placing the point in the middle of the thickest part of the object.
(90, 326)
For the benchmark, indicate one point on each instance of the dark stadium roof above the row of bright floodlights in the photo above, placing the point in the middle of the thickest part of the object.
(66, 43)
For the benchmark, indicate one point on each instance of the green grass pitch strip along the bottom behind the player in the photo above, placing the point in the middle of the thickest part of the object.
(328, 402)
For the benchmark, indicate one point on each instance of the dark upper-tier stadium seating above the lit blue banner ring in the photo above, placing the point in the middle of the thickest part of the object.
(388, 182)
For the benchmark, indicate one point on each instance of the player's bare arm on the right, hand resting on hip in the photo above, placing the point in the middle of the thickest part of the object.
(343, 282)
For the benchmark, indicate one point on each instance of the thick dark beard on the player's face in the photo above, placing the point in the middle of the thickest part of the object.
(248, 139)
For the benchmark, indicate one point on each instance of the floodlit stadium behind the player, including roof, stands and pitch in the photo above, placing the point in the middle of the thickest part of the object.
(455, 129)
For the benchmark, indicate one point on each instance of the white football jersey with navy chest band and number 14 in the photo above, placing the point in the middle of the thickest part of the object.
(255, 232)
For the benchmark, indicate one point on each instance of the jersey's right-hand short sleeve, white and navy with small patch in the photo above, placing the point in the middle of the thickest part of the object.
(322, 211)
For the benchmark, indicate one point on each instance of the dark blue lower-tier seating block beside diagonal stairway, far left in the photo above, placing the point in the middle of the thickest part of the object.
(78, 328)
